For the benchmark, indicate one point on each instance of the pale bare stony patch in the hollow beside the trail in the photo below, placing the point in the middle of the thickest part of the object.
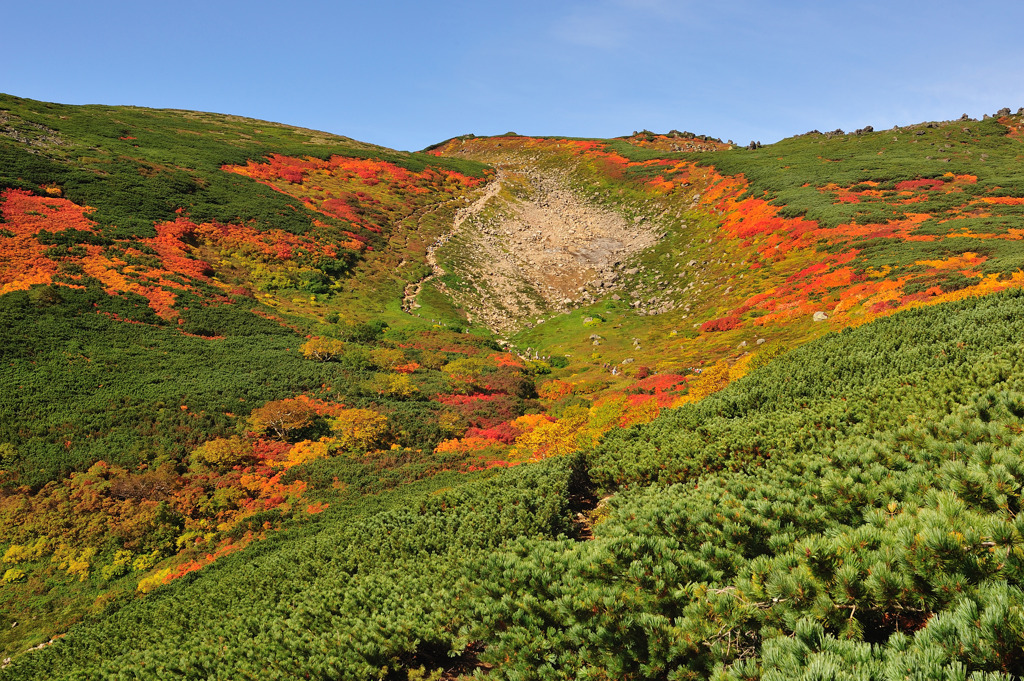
(533, 247)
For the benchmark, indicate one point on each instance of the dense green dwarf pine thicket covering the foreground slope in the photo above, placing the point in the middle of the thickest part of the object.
(848, 512)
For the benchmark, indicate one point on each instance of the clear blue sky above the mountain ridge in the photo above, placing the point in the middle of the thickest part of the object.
(407, 74)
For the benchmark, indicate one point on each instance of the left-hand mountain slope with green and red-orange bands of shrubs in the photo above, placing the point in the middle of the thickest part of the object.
(161, 273)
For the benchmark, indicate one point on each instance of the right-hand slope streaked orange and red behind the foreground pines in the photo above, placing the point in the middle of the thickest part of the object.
(754, 243)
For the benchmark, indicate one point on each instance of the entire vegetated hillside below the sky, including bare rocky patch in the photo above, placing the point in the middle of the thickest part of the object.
(277, 404)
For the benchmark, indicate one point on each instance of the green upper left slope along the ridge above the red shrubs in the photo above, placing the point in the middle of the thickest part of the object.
(137, 166)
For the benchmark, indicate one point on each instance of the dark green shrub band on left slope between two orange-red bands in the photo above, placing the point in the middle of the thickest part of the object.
(78, 386)
